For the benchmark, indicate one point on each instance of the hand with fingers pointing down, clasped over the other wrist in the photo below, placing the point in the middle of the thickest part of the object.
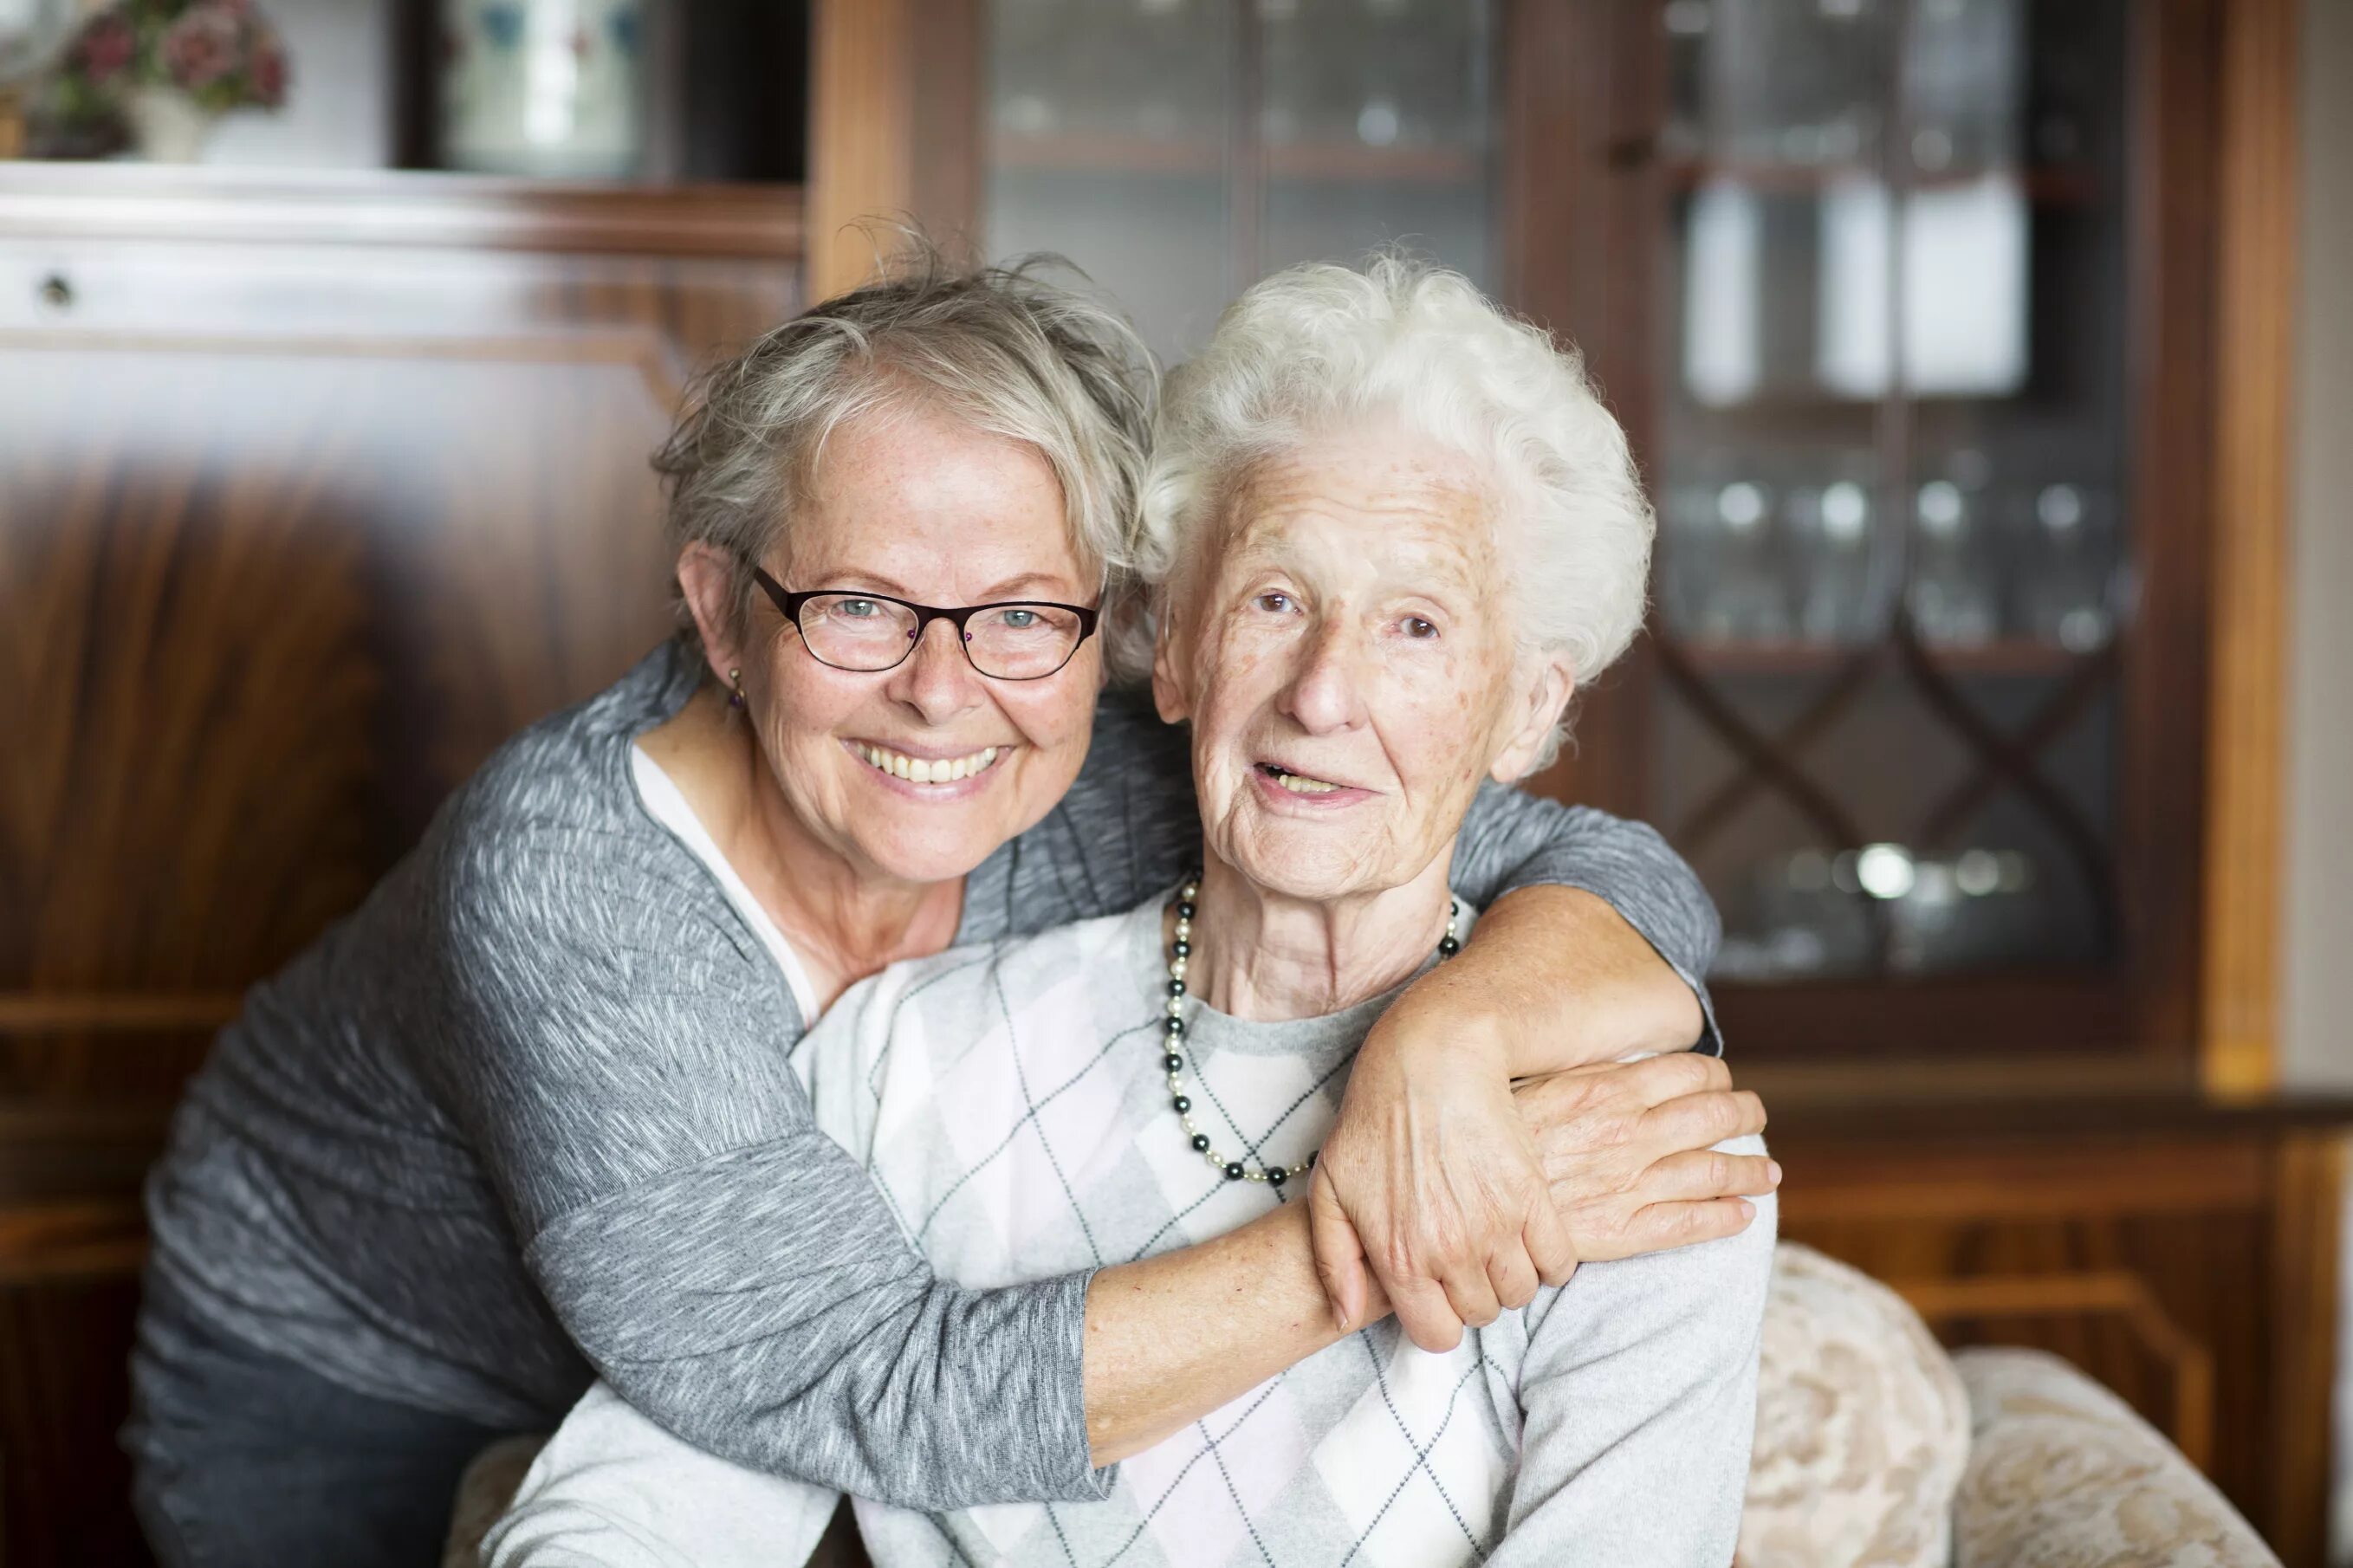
(1434, 1181)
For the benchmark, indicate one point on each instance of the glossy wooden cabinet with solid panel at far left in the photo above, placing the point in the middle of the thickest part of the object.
(312, 493)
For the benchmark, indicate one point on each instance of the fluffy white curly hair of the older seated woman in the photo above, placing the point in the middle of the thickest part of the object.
(1321, 347)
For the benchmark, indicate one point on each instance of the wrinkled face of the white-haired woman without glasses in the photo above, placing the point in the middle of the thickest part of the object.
(1345, 646)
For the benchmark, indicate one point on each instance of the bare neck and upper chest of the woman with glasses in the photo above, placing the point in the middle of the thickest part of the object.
(844, 922)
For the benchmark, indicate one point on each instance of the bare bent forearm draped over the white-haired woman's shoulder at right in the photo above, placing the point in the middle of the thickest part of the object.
(1554, 978)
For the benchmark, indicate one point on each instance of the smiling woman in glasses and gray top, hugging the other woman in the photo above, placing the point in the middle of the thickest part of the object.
(531, 1117)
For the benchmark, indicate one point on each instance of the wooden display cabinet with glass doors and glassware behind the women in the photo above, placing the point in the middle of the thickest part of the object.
(1917, 314)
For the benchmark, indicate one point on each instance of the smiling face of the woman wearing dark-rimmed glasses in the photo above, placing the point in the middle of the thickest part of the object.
(921, 771)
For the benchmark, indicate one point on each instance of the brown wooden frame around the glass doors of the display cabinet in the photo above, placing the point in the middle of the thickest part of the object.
(2199, 677)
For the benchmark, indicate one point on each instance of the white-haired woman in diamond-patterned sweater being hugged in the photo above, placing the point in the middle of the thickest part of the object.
(1387, 536)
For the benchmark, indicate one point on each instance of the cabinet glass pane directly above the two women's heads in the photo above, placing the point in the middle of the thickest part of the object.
(1182, 150)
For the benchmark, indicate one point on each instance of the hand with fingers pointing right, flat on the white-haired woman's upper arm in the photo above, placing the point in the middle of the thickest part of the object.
(1629, 1150)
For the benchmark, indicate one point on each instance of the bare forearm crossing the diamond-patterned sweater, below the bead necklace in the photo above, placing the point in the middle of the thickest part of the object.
(1178, 1336)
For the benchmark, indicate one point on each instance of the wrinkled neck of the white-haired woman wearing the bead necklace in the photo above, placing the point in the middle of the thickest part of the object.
(1269, 957)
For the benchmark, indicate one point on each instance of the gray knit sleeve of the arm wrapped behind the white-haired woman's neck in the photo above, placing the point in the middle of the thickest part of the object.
(1131, 828)
